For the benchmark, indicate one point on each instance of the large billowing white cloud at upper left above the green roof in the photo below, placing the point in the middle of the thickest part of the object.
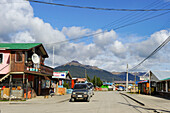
(20, 18)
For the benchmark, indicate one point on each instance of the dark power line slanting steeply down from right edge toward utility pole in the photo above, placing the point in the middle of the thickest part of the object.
(154, 52)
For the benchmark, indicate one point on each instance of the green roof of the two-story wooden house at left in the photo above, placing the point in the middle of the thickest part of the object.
(18, 45)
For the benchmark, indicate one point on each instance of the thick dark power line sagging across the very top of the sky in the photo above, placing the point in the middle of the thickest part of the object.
(95, 8)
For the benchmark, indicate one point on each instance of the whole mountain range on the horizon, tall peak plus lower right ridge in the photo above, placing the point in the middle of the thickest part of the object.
(77, 70)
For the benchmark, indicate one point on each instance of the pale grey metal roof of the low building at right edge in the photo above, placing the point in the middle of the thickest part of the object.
(161, 75)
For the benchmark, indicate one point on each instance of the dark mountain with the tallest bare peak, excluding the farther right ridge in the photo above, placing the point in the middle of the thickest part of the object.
(78, 70)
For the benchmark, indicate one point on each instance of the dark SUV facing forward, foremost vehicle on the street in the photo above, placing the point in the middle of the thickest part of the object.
(81, 91)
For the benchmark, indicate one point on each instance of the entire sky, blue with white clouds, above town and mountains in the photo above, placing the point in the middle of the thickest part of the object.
(119, 41)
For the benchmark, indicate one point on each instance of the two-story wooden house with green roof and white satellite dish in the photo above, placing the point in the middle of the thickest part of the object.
(22, 69)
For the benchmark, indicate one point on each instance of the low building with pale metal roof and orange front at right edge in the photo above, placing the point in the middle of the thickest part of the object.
(158, 82)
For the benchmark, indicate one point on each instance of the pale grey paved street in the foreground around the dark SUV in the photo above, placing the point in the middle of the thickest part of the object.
(101, 102)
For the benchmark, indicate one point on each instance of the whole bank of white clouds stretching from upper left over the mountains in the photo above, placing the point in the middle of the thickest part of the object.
(18, 24)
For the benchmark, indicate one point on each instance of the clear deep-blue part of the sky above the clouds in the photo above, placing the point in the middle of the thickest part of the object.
(59, 16)
